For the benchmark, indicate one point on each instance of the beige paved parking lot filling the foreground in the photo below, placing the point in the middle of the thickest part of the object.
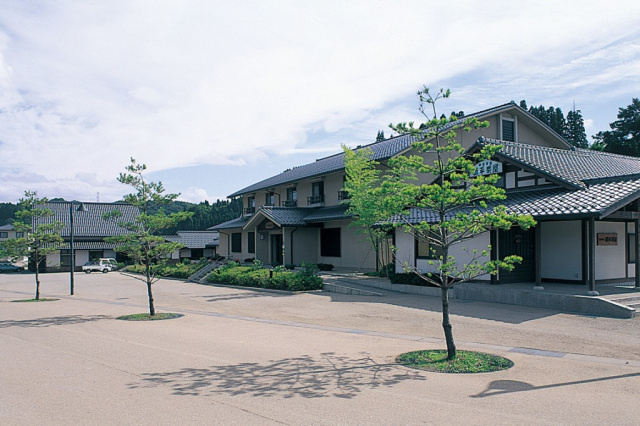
(252, 357)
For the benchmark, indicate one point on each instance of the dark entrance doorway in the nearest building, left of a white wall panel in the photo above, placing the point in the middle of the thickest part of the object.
(521, 243)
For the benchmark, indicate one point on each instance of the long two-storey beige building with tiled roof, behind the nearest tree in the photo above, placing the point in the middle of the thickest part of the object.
(299, 215)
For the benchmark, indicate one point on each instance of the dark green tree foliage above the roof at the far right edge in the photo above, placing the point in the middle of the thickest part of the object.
(624, 136)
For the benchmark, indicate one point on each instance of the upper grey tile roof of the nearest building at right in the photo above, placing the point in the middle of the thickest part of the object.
(577, 167)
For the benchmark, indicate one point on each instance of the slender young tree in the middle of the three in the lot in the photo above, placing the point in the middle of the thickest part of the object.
(142, 243)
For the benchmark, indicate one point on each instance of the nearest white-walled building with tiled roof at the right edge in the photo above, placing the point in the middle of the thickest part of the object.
(585, 203)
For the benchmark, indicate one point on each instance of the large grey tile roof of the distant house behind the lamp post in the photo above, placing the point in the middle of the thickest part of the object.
(89, 222)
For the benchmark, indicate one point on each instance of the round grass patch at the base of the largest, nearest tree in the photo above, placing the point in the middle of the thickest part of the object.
(464, 362)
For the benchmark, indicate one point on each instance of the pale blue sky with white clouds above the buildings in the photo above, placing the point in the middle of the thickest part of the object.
(214, 96)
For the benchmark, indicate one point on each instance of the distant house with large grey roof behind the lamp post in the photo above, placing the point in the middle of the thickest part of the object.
(89, 232)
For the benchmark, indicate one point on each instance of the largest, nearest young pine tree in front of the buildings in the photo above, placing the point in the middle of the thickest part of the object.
(457, 198)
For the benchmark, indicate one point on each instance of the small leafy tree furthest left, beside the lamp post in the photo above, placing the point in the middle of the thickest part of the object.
(41, 233)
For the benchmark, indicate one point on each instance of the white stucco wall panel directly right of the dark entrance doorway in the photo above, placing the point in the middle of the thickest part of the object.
(561, 254)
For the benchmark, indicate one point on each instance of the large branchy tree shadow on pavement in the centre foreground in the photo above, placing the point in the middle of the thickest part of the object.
(329, 375)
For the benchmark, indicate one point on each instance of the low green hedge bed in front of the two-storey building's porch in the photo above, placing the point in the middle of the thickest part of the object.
(250, 276)
